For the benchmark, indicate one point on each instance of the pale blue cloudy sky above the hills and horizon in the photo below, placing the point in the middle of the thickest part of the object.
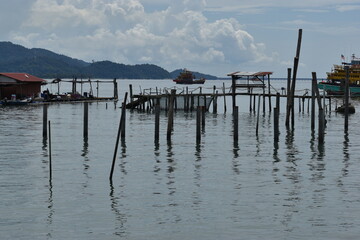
(208, 36)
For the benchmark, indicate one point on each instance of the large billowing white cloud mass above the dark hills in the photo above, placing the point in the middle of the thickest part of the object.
(122, 31)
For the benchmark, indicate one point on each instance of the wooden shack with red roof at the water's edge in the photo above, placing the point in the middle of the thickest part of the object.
(21, 85)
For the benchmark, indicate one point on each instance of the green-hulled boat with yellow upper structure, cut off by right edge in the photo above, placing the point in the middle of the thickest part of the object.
(335, 83)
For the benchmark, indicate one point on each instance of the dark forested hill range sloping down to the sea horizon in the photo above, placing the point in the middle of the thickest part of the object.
(46, 64)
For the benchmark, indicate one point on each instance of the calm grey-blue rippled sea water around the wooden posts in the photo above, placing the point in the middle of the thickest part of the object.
(256, 189)
